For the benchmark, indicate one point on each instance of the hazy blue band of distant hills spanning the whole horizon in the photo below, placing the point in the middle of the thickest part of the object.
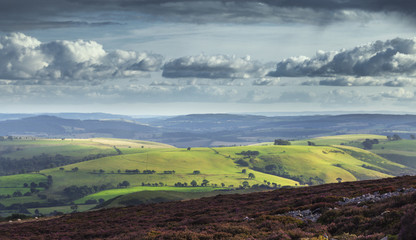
(203, 130)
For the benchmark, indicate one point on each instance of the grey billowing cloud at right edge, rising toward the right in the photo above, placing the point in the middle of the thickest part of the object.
(380, 58)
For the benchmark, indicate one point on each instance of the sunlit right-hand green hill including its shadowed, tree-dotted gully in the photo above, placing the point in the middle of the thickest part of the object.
(322, 163)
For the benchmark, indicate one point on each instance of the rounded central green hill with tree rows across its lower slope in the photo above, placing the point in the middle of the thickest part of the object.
(213, 167)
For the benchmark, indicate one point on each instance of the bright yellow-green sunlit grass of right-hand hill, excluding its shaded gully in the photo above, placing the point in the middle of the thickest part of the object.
(311, 161)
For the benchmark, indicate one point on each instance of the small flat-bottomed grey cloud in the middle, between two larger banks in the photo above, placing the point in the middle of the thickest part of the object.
(213, 67)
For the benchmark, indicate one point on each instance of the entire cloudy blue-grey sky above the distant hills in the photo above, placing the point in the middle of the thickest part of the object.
(160, 57)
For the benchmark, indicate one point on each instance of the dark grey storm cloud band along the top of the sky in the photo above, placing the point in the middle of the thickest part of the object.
(28, 14)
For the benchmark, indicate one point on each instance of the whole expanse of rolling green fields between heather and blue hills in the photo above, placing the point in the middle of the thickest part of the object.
(291, 165)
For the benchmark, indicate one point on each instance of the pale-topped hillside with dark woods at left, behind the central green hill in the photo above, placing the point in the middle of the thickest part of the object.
(25, 155)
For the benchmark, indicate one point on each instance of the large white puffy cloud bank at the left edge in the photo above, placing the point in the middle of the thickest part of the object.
(24, 58)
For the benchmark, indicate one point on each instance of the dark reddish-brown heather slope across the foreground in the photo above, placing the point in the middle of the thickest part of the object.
(265, 215)
